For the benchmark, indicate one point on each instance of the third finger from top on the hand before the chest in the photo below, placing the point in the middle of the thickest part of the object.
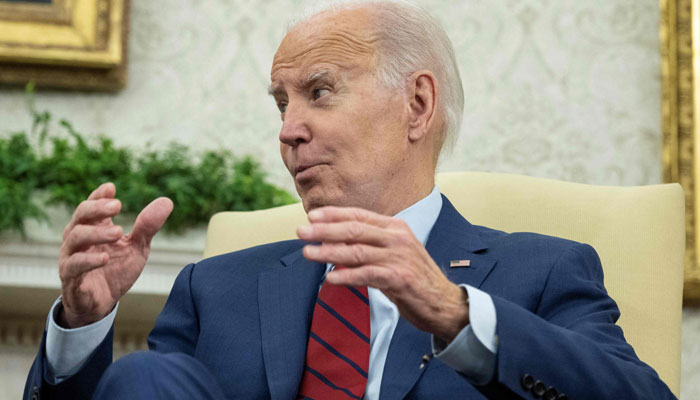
(350, 255)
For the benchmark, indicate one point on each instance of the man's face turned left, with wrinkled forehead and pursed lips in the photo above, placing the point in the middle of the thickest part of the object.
(343, 135)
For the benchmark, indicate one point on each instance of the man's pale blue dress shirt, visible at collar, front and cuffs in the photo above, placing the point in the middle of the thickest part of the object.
(472, 352)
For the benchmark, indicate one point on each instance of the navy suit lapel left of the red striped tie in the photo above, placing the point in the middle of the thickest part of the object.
(286, 297)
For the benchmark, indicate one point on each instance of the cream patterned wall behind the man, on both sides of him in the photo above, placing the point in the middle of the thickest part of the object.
(564, 89)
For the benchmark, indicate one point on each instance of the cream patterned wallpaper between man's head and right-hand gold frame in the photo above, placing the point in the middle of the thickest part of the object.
(562, 89)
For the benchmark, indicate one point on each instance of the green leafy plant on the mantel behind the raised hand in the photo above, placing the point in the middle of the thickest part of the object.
(66, 167)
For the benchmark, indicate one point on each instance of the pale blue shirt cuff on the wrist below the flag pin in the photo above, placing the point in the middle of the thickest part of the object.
(473, 351)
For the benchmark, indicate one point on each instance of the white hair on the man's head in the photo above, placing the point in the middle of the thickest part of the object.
(410, 39)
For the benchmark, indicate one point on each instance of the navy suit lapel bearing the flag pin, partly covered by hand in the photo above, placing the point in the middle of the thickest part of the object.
(452, 238)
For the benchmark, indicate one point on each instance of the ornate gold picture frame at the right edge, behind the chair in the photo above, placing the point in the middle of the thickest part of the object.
(680, 108)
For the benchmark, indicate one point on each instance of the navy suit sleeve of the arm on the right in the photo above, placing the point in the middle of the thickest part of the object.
(571, 342)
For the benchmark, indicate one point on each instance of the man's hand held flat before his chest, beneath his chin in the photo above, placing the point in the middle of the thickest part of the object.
(383, 253)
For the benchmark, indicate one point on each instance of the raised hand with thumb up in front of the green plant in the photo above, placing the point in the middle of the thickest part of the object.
(97, 263)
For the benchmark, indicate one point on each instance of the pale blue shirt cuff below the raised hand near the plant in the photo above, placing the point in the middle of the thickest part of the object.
(67, 350)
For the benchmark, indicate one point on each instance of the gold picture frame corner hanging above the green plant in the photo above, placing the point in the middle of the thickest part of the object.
(72, 44)
